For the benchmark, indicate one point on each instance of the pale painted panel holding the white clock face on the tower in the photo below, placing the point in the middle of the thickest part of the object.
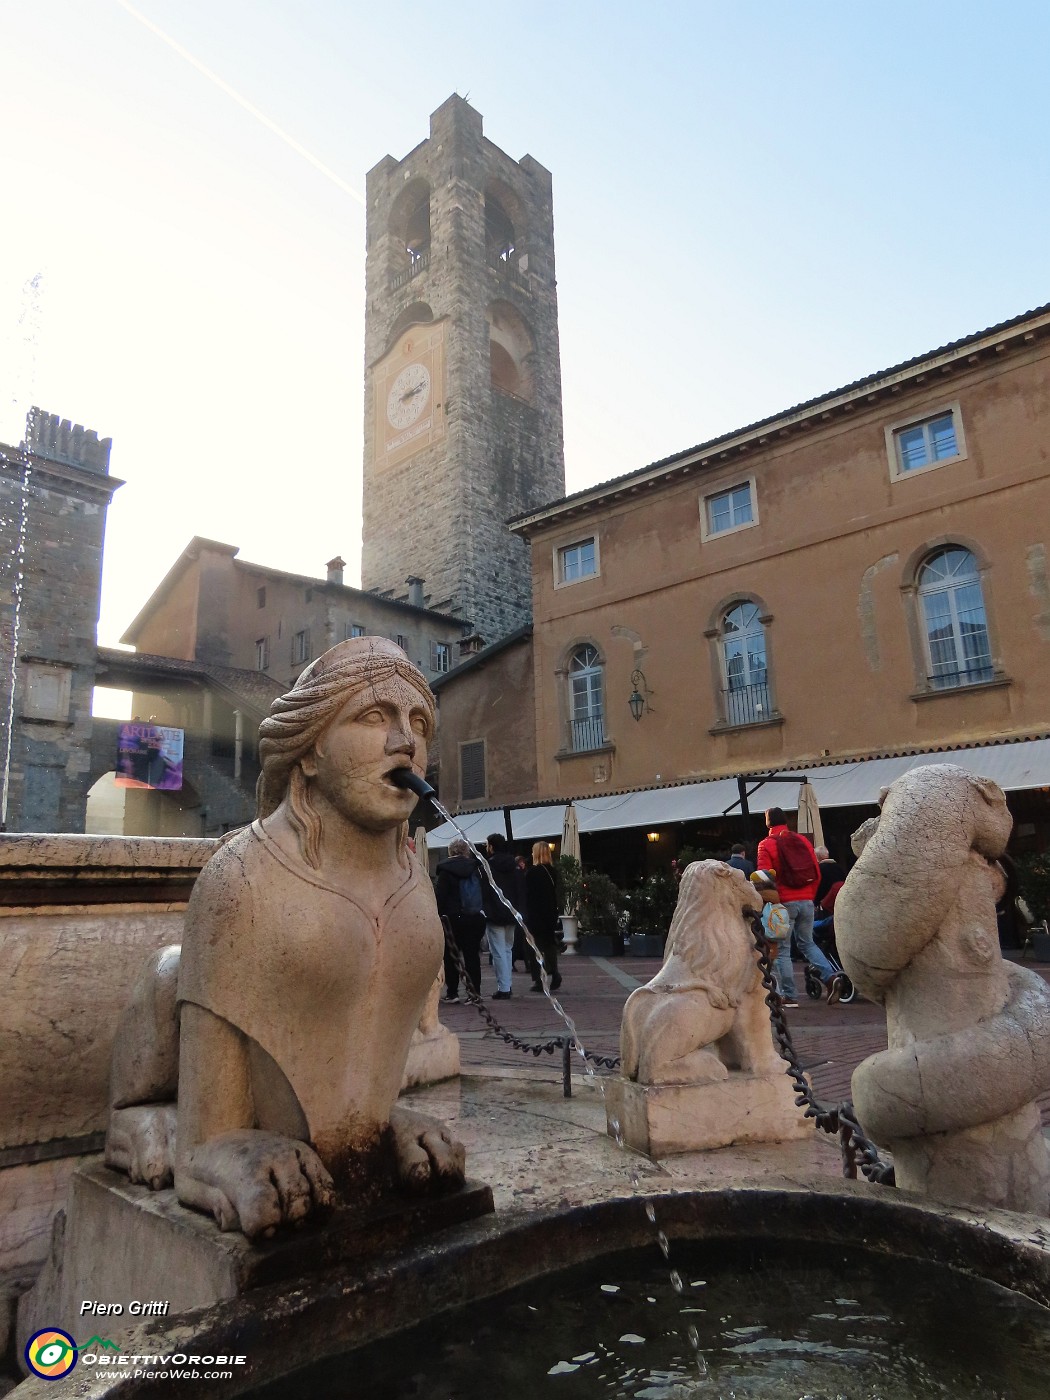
(408, 394)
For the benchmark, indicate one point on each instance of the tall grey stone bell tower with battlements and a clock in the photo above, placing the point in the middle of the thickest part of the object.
(463, 376)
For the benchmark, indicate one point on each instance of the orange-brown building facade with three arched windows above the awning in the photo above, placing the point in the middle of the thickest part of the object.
(866, 575)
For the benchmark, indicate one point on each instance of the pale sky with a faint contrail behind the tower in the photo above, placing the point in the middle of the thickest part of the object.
(755, 202)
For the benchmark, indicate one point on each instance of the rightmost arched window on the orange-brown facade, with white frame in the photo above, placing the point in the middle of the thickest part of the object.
(955, 628)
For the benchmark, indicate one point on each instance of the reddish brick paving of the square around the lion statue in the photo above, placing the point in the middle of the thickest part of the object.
(831, 1041)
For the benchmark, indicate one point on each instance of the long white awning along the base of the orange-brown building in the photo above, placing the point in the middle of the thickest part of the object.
(1014, 766)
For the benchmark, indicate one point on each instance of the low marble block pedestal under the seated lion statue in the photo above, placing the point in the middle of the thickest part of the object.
(663, 1119)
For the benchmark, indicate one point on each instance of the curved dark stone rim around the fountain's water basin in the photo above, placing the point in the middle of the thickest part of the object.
(276, 1326)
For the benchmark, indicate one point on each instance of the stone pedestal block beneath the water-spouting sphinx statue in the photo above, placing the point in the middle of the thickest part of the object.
(124, 1244)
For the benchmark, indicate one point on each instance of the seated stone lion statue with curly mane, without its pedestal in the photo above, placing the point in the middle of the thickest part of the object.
(705, 1011)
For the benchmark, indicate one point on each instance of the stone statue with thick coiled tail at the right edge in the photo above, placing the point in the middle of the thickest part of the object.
(969, 1034)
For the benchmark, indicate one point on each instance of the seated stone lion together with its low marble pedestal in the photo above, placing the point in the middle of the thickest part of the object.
(701, 1069)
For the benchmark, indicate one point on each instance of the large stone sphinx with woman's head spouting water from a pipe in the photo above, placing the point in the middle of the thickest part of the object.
(261, 1066)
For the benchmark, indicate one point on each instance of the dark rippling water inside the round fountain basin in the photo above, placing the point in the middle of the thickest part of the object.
(778, 1322)
